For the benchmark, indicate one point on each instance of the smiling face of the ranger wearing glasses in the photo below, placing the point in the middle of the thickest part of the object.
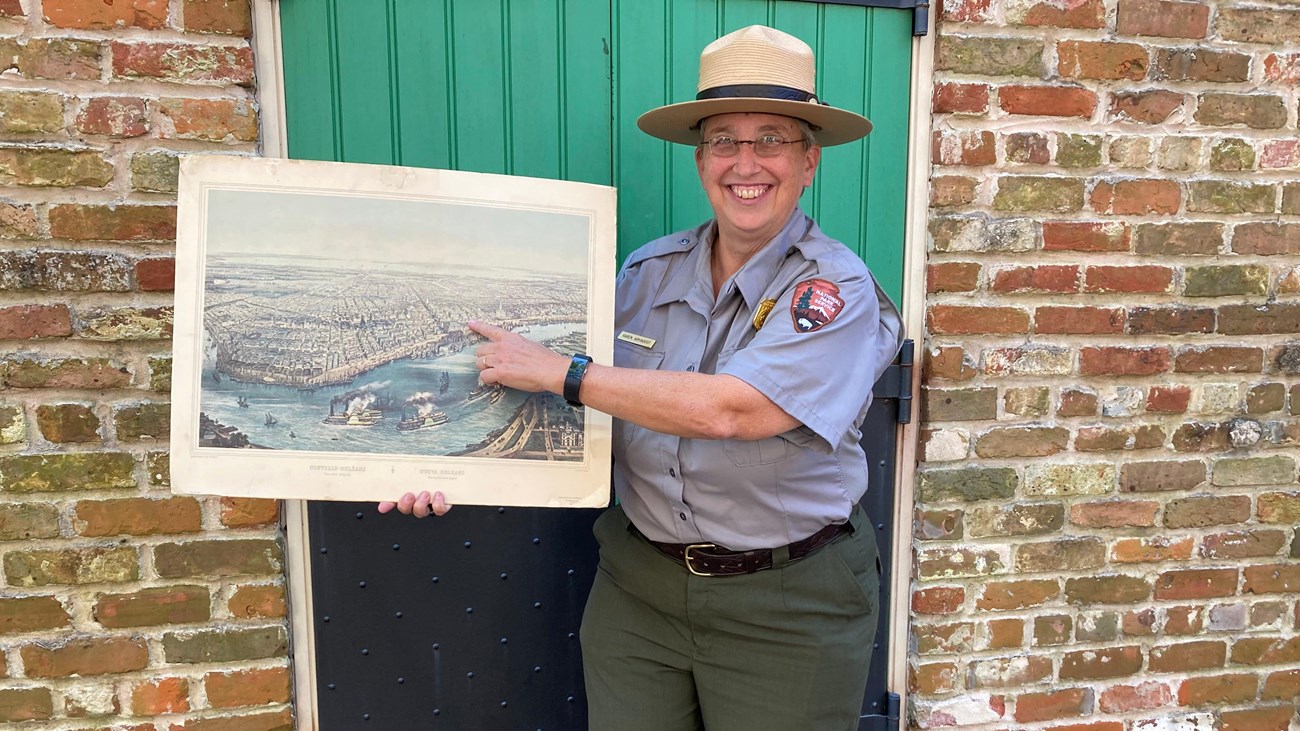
(753, 197)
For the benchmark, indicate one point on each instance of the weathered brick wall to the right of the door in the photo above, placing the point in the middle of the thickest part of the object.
(1107, 511)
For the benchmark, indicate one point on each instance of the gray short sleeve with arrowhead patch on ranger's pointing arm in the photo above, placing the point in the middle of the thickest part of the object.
(821, 351)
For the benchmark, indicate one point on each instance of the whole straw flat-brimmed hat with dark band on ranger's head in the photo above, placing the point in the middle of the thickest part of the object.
(756, 70)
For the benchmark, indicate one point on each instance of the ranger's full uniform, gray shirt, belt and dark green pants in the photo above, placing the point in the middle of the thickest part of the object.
(725, 550)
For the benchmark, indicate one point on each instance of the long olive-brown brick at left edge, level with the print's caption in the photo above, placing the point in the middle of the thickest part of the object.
(67, 473)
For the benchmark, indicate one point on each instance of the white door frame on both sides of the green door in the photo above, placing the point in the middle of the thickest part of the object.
(268, 59)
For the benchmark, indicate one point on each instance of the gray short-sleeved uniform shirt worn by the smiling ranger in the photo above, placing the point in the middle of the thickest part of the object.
(829, 336)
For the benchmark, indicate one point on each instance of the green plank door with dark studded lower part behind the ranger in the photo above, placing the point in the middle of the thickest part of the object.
(547, 89)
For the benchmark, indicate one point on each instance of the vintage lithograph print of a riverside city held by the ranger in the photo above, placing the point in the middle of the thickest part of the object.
(322, 349)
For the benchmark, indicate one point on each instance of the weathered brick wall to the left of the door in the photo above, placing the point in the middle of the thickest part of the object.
(122, 607)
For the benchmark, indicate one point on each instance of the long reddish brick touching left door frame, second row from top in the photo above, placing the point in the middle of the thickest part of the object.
(184, 63)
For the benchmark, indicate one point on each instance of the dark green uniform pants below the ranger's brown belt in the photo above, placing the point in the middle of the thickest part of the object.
(785, 650)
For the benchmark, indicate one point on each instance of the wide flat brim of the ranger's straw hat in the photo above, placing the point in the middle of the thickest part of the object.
(675, 122)
